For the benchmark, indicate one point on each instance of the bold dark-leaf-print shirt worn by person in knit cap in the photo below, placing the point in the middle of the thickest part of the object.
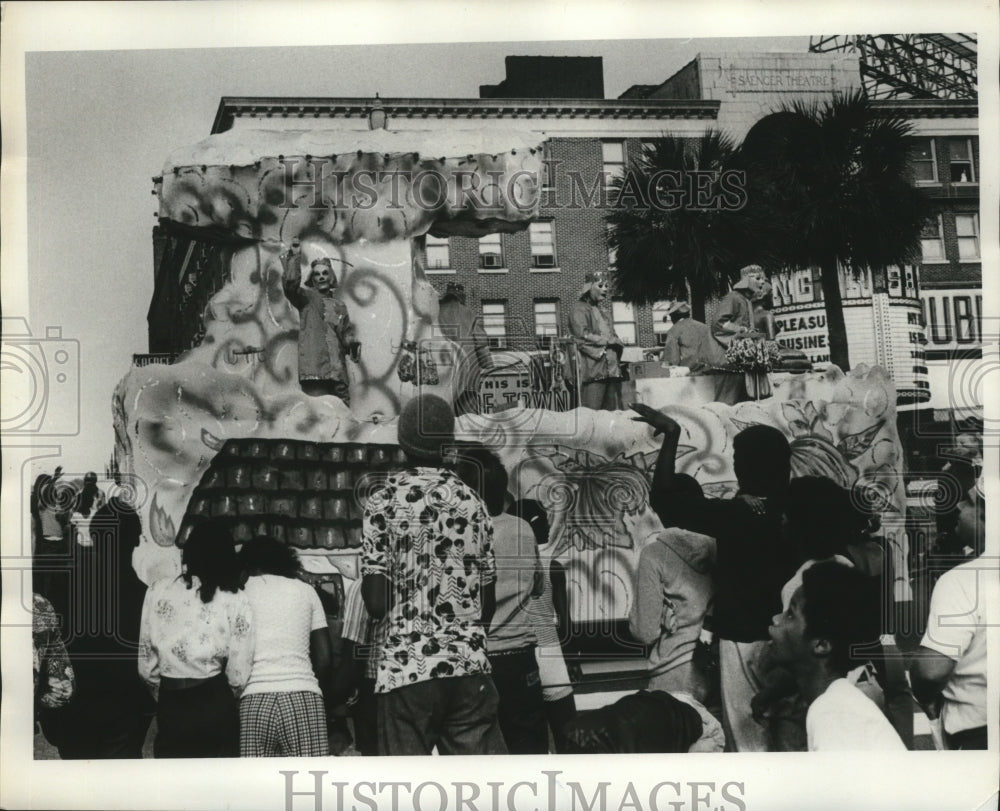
(431, 536)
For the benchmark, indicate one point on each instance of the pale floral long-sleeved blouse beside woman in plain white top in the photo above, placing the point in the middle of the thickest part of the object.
(183, 638)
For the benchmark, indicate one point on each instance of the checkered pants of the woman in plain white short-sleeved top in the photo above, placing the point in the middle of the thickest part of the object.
(283, 724)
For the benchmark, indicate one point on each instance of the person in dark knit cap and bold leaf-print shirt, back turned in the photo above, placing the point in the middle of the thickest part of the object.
(428, 570)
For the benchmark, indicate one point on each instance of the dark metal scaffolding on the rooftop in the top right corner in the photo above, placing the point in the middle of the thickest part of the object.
(915, 66)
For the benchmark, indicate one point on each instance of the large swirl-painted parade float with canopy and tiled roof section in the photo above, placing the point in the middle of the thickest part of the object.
(226, 432)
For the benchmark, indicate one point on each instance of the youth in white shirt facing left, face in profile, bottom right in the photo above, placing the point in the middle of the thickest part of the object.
(813, 638)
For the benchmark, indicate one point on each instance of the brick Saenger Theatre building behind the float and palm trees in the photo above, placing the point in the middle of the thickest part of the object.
(524, 283)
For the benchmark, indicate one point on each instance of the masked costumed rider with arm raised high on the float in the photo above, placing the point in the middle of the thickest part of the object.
(326, 333)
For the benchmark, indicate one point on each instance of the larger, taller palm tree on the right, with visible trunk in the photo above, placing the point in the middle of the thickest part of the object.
(831, 186)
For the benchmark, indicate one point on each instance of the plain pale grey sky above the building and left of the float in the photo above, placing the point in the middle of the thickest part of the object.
(101, 123)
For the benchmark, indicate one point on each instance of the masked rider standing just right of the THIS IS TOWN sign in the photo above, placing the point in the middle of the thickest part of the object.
(598, 347)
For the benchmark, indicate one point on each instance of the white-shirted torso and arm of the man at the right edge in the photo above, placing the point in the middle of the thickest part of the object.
(949, 669)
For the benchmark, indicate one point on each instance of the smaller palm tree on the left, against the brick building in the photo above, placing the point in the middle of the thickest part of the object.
(664, 237)
